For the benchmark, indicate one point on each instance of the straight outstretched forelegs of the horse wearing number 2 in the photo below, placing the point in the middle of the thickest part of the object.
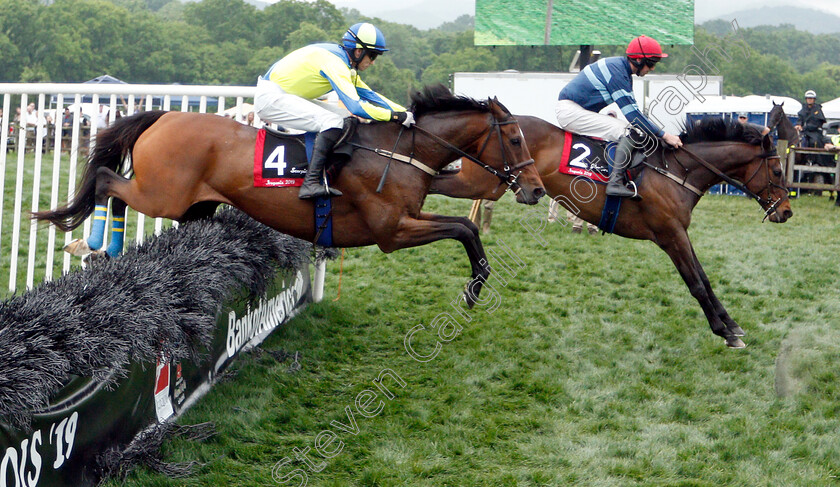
(678, 247)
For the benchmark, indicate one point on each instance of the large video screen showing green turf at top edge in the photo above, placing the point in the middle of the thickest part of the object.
(582, 22)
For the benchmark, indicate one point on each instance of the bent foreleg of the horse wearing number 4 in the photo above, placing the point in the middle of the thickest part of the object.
(411, 232)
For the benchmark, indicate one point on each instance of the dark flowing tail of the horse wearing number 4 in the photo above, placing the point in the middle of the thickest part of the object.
(113, 145)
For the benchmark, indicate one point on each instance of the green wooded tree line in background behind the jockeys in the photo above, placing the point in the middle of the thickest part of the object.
(232, 42)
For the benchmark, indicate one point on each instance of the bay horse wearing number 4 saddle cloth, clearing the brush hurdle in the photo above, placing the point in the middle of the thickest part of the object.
(185, 164)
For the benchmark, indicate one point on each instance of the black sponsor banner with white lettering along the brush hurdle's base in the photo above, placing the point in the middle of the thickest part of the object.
(86, 419)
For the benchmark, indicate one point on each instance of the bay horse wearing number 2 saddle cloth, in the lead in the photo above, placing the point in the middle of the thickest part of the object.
(663, 215)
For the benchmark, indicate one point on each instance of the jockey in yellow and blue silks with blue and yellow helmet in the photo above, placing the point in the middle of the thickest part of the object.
(286, 94)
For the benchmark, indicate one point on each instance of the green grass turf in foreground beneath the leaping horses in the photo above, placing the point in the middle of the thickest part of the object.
(584, 375)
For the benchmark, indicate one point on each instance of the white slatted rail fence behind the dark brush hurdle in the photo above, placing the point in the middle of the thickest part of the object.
(116, 97)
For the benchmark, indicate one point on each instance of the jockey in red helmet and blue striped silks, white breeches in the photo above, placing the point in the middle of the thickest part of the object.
(608, 81)
